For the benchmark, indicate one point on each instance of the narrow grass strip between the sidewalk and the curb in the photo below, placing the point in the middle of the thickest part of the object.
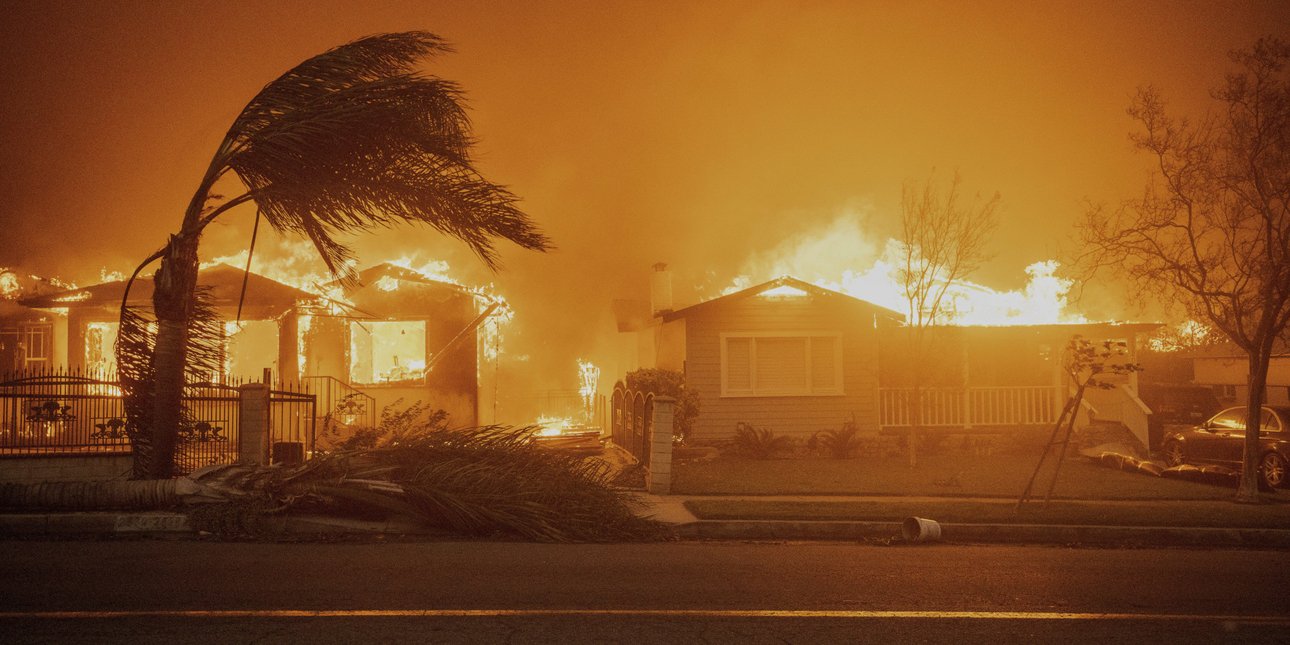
(975, 511)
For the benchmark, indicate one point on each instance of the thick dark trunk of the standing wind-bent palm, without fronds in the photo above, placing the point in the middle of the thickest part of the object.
(176, 284)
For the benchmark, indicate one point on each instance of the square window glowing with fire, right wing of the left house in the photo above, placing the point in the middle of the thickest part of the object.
(388, 352)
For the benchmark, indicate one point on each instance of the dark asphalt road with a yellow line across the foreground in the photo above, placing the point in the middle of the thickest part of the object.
(673, 593)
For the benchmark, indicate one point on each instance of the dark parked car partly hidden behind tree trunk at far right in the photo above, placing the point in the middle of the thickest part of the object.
(1221, 442)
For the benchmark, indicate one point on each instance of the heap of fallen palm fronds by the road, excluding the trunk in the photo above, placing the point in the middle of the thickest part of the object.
(473, 482)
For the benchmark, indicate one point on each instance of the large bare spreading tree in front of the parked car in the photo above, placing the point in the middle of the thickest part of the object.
(1212, 232)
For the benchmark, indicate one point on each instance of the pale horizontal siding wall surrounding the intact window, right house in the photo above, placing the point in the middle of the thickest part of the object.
(793, 416)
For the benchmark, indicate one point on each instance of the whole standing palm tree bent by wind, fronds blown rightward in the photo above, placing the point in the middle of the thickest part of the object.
(350, 140)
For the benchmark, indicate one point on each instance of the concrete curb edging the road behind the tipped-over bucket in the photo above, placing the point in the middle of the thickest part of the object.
(990, 533)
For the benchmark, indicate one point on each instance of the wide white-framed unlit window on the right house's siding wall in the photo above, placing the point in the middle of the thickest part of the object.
(781, 364)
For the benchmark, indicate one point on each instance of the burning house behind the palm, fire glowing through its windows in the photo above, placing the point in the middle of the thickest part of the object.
(392, 335)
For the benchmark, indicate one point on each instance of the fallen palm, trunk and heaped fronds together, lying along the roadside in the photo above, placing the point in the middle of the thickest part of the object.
(470, 482)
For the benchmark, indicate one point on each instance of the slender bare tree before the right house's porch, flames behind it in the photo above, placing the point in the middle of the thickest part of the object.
(944, 239)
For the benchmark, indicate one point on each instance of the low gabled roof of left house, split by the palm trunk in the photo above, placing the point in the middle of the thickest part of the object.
(224, 281)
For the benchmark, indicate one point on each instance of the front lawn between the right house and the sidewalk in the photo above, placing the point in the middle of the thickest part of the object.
(950, 474)
